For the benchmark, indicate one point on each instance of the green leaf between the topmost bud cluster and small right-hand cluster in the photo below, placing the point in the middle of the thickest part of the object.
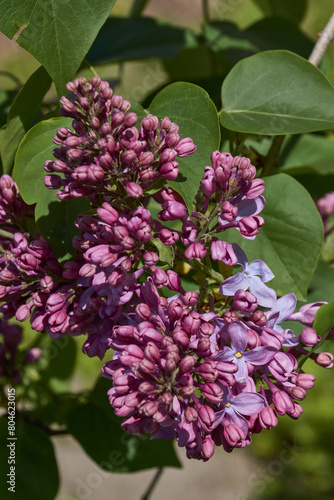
(191, 108)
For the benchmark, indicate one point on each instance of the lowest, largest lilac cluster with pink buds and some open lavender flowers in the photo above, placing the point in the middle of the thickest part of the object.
(181, 373)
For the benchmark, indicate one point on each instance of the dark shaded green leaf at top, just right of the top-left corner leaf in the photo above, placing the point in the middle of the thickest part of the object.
(124, 39)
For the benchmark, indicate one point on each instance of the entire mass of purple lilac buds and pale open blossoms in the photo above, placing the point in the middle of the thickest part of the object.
(206, 367)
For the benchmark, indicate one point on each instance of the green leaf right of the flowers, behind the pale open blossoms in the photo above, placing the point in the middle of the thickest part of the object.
(291, 238)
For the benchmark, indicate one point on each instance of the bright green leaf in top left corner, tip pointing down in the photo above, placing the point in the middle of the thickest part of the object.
(57, 33)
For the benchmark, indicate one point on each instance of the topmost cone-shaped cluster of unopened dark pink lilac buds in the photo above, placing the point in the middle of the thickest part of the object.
(106, 157)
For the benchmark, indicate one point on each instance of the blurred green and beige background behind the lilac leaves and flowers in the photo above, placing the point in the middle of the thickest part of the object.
(296, 459)
